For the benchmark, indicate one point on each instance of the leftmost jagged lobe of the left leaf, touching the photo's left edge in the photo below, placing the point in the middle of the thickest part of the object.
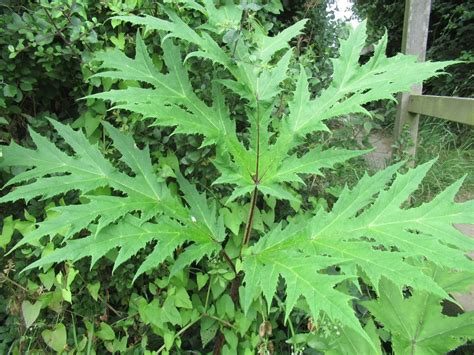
(85, 171)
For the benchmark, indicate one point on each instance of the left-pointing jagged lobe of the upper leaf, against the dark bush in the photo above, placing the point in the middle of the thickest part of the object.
(171, 91)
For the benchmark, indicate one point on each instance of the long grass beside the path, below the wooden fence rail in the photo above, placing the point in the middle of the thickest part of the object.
(451, 143)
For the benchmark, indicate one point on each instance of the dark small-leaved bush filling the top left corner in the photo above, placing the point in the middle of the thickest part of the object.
(45, 60)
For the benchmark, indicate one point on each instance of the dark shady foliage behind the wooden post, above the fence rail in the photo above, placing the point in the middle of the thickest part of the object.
(450, 37)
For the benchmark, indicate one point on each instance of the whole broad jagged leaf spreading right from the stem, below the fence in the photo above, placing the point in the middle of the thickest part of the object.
(367, 234)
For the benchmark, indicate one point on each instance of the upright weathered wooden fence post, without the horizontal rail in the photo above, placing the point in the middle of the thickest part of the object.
(415, 35)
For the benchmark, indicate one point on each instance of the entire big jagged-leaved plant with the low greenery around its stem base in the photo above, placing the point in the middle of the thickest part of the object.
(315, 265)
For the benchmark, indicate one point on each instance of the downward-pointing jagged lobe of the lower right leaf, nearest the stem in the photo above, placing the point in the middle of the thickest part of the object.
(279, 254)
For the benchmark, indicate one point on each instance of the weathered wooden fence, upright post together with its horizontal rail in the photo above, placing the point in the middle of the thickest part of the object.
(411, 105)
